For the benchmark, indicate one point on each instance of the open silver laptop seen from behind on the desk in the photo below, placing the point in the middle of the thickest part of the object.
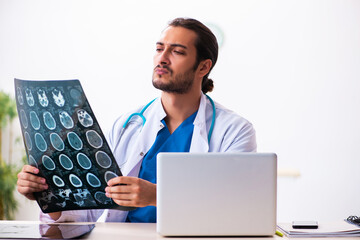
(216, 194)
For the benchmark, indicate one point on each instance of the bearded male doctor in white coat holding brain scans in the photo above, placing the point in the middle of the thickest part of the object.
(183, 119)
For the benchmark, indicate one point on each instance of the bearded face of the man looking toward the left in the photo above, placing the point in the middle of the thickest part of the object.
(174, 60)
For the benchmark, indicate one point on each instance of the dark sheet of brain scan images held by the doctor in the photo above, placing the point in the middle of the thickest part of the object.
(63, 139)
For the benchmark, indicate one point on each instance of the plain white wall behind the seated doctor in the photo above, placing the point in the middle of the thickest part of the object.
(290, 67)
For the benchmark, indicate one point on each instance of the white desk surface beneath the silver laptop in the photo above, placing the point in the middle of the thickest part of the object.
(147, 231)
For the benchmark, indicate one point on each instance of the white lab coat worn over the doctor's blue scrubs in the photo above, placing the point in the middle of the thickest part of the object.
(231, 133)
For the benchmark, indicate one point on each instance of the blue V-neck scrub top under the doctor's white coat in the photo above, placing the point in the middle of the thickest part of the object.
(178, 141)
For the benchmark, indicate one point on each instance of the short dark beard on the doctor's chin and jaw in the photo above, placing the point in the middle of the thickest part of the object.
(180, 83)
